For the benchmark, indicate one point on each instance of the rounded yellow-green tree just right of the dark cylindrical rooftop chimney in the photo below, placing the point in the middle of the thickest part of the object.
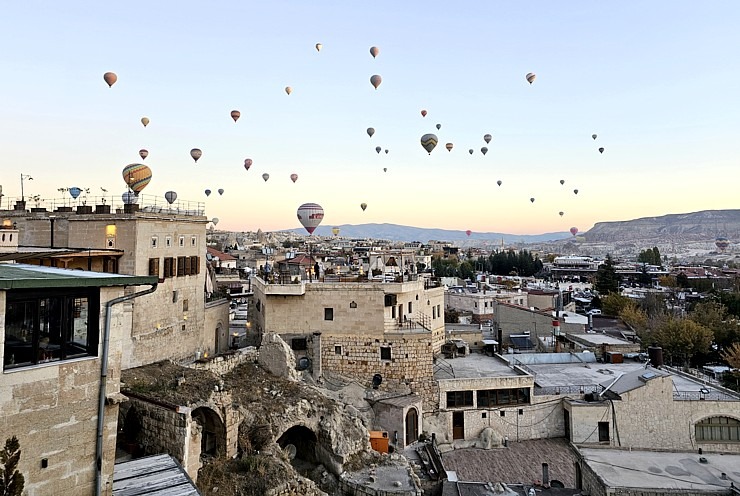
(683, 338)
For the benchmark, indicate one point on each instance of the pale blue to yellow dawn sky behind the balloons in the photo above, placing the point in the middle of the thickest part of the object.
(656, 81)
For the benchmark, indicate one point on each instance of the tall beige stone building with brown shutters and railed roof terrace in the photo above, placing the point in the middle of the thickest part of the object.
(169, 243)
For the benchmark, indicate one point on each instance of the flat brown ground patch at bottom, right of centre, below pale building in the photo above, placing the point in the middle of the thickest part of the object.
(519, 463)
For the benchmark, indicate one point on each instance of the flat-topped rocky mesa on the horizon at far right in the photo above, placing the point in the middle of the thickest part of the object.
(696, 226)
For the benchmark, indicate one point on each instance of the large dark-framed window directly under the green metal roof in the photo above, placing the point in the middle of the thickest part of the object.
(58, 325)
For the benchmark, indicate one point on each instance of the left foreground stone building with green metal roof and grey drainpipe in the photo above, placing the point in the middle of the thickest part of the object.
(62, 340)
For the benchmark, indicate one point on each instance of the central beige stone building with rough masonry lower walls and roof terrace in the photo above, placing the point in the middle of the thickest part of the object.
(359, 329)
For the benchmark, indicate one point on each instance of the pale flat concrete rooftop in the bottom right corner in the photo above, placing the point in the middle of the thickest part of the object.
(664, 470)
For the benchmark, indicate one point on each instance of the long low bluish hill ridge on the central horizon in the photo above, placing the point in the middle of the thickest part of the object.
(395, 232)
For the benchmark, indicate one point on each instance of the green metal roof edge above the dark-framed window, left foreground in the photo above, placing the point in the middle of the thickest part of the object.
(22, 276)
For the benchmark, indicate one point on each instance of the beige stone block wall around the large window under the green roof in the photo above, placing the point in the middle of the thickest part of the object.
(52, 409)
